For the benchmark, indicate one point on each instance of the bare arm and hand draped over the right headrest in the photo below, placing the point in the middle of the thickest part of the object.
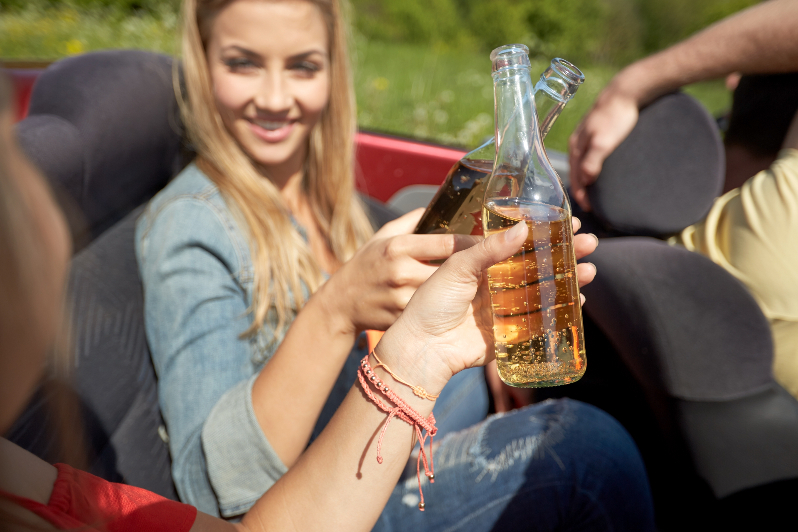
(761, 39)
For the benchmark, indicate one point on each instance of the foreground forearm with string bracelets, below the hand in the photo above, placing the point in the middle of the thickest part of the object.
(339, 471)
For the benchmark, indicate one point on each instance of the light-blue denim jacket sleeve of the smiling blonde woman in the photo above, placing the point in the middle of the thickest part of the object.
(197, 273)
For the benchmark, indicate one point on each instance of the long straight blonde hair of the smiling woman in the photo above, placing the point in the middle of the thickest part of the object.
(282, 259)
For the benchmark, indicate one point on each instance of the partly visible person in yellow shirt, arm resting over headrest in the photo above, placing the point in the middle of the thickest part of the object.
(751, 230)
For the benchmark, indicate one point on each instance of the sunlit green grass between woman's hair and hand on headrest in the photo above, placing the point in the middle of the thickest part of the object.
(445, 96)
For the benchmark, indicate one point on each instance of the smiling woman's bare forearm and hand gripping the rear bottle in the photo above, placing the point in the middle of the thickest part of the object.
(368, 292)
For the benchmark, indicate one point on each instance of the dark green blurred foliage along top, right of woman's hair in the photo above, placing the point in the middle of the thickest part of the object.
(588, 31)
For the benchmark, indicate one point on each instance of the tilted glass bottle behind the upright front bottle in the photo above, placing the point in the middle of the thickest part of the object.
(457, 206)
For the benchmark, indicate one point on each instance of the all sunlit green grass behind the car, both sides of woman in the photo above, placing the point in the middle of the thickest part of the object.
(441, 96)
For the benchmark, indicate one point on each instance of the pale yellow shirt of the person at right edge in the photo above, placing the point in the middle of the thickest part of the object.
(752, 232)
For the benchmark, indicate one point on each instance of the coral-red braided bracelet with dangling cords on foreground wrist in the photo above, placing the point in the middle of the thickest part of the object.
(404, 412)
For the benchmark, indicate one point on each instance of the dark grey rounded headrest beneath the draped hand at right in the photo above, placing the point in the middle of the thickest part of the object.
(665, 175)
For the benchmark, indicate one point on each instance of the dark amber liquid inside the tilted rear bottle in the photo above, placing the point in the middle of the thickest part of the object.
(457, 206)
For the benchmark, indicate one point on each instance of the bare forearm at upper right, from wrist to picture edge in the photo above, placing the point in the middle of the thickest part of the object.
(760, 39)
